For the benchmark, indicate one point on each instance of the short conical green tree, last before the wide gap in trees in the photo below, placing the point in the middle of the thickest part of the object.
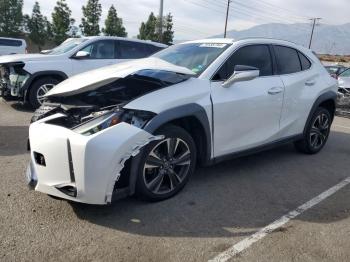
(114, 24)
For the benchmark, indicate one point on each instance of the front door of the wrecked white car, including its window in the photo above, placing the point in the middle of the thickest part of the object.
(246, 114)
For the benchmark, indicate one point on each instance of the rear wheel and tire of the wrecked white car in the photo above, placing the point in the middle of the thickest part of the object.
(317, 132)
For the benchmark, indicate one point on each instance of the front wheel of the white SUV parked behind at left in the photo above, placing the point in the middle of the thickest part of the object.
(38, 90)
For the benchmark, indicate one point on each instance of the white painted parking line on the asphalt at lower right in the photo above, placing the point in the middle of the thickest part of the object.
(247, 242)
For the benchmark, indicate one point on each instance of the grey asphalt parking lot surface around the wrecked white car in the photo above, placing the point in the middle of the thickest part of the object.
(221, 205)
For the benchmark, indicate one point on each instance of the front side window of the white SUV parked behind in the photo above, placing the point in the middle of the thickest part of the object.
(103, 49)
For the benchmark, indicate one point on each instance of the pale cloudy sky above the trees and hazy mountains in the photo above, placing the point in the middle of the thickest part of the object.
(195, 19)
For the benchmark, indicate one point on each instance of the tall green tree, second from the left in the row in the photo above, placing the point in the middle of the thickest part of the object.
(36, 26)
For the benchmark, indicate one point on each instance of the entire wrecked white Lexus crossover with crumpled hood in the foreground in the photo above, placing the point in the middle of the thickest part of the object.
(142, 126)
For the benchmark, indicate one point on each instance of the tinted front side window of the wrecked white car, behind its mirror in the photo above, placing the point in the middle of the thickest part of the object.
(253, 55)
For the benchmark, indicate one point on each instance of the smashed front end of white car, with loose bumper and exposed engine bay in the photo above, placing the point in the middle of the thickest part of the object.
(81, 142)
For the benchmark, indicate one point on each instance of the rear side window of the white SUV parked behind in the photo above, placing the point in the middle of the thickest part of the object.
(132, 50)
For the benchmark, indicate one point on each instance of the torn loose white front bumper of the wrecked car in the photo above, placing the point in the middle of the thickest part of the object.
(77, 167)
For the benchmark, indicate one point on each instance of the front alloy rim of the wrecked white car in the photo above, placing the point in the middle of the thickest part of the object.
(167, 165)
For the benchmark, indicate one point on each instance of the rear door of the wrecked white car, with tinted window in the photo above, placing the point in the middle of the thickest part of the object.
(300, 80)
